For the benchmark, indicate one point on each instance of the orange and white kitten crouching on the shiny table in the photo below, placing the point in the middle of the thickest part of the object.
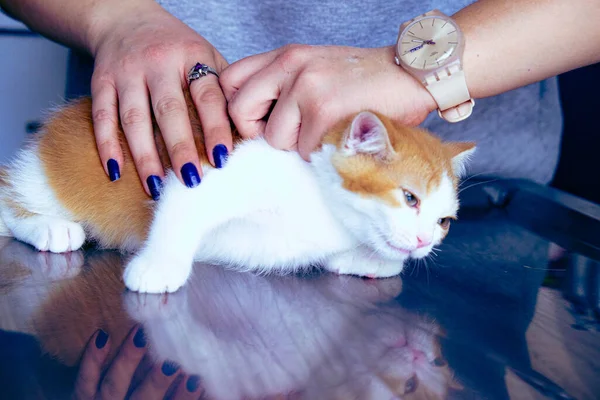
(373, 195)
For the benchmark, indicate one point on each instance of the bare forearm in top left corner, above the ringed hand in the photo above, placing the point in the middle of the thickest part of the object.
(74, 23)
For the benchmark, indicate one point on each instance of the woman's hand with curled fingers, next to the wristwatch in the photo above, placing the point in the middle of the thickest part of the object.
(314, 87)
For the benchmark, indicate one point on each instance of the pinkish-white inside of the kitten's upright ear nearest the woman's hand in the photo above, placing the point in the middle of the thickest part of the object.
(367, 135)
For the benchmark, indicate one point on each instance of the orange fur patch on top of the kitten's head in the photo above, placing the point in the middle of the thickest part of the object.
(418, 162)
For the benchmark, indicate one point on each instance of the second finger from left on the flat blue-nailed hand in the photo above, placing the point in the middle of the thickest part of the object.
(134, 108)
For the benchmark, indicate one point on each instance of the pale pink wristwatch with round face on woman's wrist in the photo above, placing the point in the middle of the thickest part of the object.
(430, 48)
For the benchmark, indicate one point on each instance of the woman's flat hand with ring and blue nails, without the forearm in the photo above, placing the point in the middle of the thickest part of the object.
(142, 57)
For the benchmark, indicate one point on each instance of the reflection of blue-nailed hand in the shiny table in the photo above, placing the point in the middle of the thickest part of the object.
(120, 363)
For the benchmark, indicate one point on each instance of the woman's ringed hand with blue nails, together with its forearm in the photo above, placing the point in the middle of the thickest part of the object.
(139, 87)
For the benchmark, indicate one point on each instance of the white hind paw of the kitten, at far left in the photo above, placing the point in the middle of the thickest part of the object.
(53, 234)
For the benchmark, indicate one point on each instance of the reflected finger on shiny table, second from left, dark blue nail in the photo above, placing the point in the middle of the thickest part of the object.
(117, 380)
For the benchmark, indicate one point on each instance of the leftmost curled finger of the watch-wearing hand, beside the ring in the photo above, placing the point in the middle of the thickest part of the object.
(253, 101)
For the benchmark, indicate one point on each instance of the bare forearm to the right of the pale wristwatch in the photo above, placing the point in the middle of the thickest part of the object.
(511, 43)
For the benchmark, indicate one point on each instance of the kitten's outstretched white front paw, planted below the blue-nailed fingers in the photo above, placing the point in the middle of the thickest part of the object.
(150, 273)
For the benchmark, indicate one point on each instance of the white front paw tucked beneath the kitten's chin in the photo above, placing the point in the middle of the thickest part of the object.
(359, 264)
